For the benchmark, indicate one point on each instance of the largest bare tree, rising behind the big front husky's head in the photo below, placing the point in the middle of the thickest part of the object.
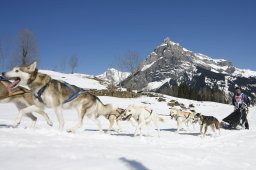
(27, 48)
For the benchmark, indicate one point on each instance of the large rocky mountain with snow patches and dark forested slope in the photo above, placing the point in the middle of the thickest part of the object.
(174, 70)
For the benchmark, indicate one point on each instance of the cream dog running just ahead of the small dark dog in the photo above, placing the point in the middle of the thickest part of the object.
(181, 117)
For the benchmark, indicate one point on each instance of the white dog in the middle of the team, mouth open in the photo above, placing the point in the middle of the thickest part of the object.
(140, 116)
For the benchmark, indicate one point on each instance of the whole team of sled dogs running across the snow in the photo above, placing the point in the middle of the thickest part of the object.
(47, 92)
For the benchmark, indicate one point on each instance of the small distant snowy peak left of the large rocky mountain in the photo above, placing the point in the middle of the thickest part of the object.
(114, 76)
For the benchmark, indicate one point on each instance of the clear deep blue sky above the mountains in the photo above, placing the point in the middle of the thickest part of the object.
(98, 31)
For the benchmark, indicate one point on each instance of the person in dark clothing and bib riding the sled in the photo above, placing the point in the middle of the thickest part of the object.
(239, 116)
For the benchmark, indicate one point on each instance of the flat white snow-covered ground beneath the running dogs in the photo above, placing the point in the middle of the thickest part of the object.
(46, 148)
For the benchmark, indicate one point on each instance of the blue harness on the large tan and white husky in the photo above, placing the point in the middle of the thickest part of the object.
(74, 95)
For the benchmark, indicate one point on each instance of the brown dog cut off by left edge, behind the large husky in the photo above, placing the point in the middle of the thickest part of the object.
(22, 98)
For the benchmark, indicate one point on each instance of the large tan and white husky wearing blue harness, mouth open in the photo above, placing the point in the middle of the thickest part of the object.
(56, 94)
